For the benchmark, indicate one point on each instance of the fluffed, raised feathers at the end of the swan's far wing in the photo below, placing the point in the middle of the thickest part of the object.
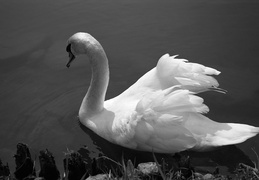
(192, 76)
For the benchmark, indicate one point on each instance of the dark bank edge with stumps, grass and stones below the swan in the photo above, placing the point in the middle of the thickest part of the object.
(77, 168)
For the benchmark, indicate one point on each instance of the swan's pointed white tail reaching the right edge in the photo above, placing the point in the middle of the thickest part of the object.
(212, 134)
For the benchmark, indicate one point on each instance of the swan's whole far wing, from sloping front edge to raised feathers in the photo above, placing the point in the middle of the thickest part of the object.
(171, 71)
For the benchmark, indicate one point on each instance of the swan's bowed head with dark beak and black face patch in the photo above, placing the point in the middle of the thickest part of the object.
(79, 43)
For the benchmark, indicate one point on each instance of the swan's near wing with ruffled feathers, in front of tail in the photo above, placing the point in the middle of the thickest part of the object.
(161, 117)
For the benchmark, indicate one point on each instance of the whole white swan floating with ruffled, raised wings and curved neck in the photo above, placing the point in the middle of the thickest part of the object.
(160, 112)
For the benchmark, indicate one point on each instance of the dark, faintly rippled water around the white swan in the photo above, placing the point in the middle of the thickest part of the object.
(40, 98)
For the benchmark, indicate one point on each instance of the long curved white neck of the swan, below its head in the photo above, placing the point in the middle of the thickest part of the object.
(95, 96)
